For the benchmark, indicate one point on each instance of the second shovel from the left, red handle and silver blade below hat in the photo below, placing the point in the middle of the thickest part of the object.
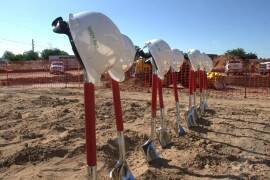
(120, 170)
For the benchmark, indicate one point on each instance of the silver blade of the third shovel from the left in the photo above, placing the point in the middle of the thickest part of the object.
(150, 151)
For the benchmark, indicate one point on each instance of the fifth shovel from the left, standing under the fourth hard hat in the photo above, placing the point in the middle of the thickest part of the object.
(178, 128)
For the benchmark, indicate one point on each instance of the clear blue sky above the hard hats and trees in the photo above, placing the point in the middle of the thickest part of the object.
(212, 26)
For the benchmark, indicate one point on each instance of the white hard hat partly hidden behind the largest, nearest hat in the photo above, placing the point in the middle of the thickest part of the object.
(117, 72)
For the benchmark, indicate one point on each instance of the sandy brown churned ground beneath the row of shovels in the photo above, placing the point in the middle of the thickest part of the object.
(42, 136)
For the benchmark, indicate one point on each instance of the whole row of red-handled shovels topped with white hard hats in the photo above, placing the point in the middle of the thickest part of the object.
(100, 47)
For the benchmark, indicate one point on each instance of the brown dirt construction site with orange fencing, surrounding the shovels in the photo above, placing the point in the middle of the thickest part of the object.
(42, 126)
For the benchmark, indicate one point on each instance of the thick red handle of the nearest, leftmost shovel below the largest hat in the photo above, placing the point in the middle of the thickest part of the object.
(90, 123)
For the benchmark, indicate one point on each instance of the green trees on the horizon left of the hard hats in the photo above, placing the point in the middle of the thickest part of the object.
(31, 55)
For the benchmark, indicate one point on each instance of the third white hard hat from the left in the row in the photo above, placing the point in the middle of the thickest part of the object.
(162, 54)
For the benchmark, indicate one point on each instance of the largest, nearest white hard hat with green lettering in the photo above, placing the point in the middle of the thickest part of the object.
(98, 41)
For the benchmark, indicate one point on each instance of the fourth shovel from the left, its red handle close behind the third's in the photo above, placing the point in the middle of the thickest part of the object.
(162, 133)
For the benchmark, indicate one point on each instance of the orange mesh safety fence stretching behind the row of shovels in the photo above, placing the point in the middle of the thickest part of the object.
(37, 73)
